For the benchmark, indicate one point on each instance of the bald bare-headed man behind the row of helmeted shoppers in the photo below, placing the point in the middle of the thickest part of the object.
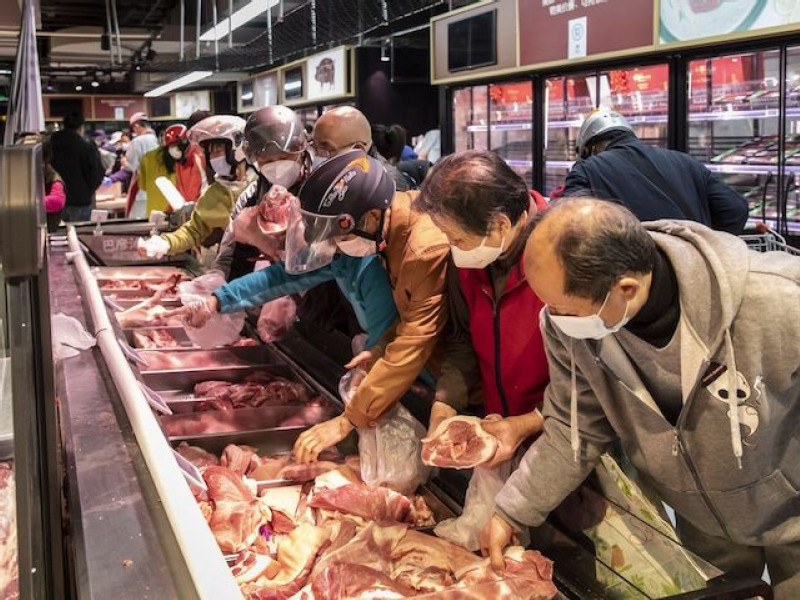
(346, 128)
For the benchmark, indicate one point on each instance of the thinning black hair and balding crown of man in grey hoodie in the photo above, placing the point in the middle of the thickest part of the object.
(598, 248)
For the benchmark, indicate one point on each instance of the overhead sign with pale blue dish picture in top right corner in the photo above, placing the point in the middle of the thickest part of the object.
(688, 20)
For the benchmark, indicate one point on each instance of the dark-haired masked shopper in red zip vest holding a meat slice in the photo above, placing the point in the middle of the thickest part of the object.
(484, 208)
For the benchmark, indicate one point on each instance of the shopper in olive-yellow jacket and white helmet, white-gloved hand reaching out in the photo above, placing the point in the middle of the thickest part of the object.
(219, 138)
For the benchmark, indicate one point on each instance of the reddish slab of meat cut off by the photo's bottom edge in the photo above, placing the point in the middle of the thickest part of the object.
(346, 581)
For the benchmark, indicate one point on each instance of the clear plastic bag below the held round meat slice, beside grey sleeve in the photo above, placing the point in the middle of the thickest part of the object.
(478, 507)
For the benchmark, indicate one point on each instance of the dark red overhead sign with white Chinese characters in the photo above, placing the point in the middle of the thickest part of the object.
(559, 30)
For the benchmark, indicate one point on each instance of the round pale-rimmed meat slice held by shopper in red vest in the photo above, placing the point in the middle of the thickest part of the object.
(458, 443)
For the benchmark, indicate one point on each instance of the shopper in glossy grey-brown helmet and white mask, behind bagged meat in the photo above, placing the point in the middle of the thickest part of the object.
(275, 146)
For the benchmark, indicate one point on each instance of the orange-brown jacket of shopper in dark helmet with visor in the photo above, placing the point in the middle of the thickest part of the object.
(416, 259)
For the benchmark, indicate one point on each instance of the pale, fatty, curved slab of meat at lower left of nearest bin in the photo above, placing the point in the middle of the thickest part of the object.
(296, 555)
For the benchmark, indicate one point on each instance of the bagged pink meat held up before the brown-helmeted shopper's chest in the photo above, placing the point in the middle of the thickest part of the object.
(264, 225)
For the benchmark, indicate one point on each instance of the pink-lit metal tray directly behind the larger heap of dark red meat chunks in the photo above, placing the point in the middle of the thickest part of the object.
(208, 362)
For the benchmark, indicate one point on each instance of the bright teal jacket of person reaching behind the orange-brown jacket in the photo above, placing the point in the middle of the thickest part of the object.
(363, 281)
